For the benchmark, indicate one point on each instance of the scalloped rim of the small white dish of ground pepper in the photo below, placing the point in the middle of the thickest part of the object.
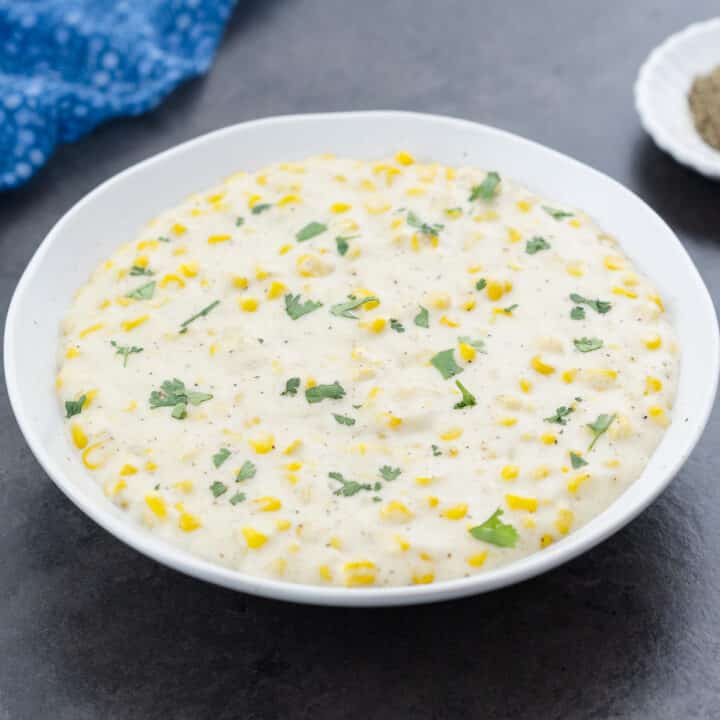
(649, 118)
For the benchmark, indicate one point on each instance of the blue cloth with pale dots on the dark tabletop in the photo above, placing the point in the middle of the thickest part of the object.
(68, 65)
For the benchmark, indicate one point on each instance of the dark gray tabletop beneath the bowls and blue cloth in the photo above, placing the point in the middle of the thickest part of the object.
(91, 629)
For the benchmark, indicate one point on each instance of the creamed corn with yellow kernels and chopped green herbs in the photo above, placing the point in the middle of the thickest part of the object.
(435, 424)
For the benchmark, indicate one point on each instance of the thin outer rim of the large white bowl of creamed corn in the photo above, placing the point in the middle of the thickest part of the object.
(585, 538)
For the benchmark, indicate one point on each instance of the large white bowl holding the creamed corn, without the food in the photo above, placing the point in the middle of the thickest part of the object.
(112, 213)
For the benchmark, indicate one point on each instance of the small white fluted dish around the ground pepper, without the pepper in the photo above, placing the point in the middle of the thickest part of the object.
(661, 91)
